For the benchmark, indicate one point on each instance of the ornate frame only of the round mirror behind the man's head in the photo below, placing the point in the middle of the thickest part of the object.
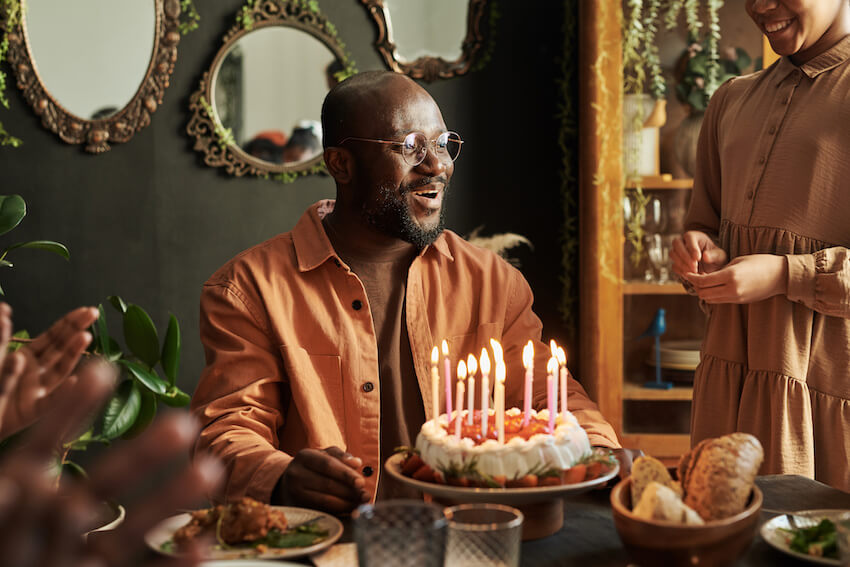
(211, 138)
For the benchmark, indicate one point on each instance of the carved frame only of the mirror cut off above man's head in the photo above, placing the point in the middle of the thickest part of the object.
(429, 68)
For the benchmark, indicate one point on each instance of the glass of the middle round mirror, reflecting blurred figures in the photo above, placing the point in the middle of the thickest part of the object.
(269, 89)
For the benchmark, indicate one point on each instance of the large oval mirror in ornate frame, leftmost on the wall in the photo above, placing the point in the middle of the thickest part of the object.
(95, 70)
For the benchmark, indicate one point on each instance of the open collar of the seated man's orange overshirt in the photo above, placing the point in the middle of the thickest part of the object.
(313, 248)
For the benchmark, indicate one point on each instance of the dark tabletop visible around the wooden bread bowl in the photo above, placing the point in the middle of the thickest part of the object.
(589, 539)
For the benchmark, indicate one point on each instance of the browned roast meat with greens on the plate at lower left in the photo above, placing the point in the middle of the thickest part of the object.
(246, 523)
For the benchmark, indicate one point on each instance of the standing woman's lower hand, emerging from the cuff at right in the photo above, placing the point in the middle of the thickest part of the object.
(745, 279)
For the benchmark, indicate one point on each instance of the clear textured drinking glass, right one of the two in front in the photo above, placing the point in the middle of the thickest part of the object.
(483, 535)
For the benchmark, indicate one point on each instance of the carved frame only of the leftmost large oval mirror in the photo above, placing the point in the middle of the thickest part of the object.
(121, 126)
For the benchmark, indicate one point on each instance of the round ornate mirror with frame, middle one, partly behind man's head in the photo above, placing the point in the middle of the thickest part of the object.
(258, 108)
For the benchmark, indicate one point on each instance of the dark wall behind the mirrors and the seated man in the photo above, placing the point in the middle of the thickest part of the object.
(147, 220)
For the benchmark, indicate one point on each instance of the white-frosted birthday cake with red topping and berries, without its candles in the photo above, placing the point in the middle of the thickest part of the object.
(530, 456)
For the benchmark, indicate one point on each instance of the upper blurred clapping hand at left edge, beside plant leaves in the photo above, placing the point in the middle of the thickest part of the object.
(30, 375)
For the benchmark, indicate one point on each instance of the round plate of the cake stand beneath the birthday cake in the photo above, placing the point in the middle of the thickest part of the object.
(507, 496)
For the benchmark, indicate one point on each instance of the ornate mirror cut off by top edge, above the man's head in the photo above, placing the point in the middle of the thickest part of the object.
(437, 39)
